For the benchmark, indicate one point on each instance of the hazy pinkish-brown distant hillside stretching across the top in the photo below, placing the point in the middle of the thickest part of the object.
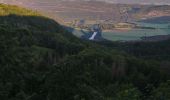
(71, 11)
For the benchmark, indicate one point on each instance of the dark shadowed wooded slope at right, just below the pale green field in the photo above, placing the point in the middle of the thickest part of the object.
(146, 50)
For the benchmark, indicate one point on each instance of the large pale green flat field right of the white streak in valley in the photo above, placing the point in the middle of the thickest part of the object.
(134, 34)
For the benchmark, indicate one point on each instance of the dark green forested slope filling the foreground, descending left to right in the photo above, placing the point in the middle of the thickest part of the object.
(39, 60)
